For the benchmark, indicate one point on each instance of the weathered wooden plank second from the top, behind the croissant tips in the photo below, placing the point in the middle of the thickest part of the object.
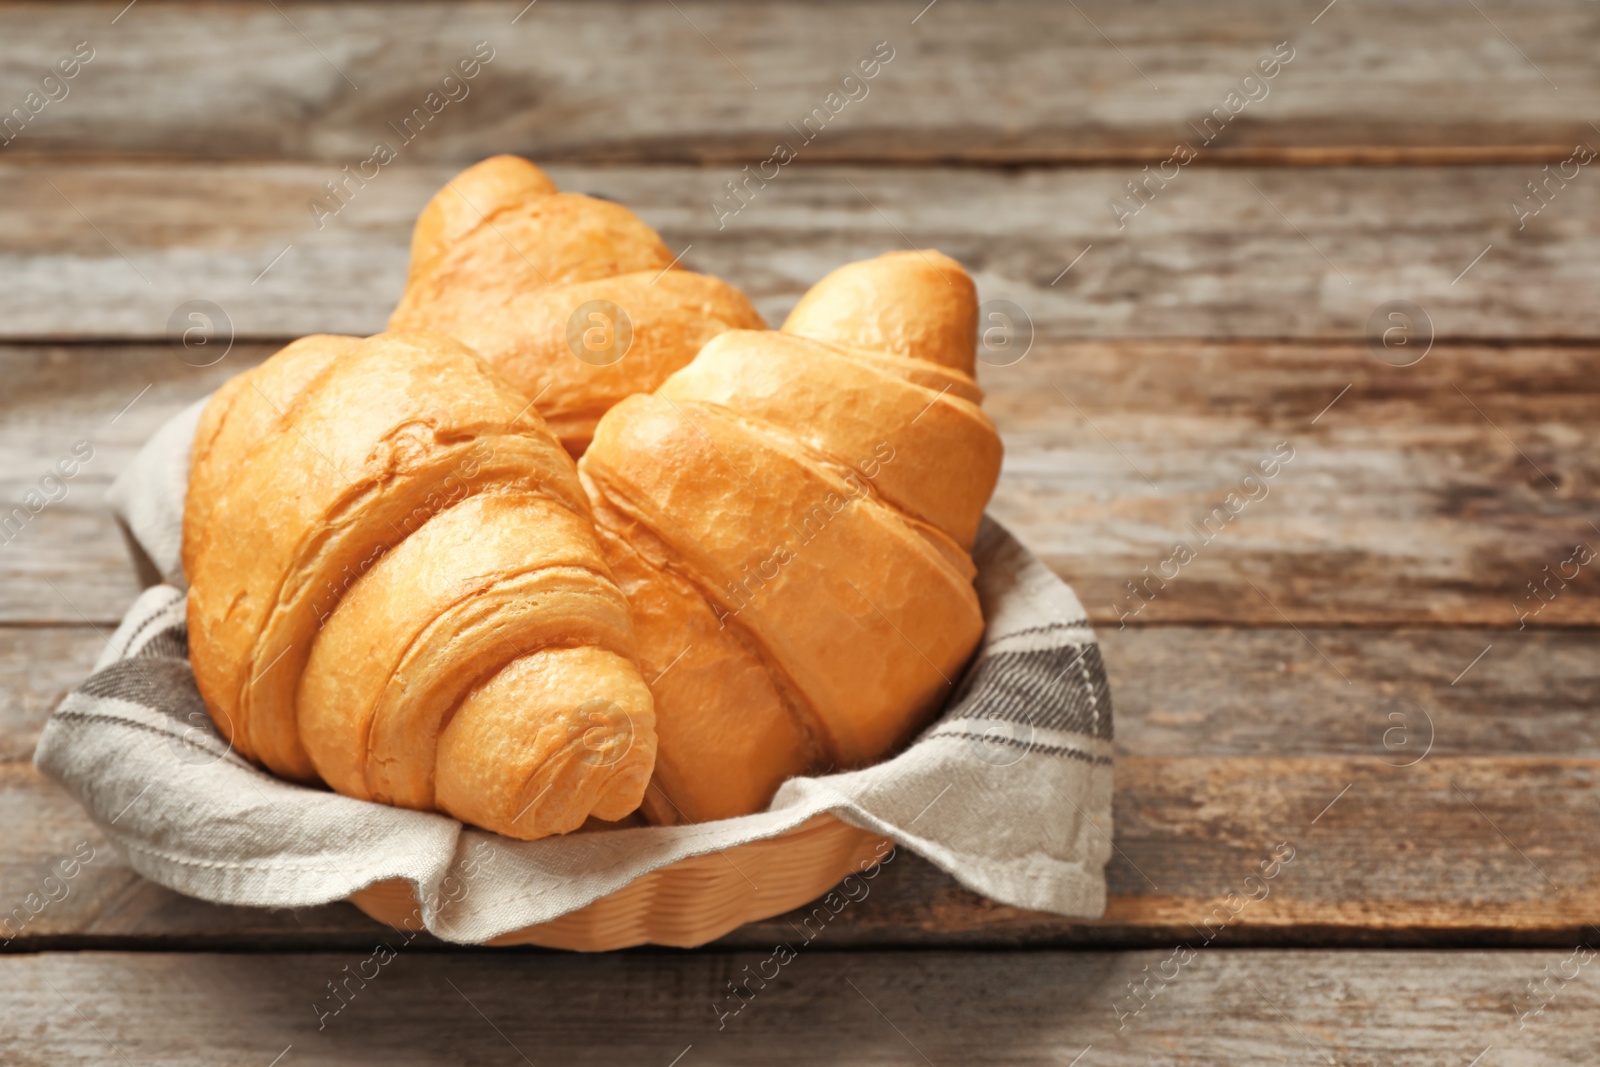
(1215, 254)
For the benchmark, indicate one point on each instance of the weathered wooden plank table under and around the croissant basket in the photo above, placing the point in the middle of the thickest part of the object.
(1358, 665)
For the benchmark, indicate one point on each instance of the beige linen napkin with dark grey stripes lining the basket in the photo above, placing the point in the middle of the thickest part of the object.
(1009, 791)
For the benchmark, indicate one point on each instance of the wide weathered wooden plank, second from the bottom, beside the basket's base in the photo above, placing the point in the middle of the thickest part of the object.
(1230, 743)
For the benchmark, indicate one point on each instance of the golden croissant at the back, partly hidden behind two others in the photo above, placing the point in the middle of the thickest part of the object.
(572, 300)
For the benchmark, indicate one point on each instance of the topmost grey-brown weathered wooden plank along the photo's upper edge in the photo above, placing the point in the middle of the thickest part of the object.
(978, 82)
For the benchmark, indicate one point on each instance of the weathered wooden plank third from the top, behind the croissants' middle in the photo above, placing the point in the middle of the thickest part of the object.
(1420, 497)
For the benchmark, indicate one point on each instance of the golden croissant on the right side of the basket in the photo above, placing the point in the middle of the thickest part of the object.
(791, 519)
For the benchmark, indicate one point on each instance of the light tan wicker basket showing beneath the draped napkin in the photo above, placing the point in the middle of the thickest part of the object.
(684, 905)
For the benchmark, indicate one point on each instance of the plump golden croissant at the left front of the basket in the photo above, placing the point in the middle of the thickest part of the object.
(396, 588)
